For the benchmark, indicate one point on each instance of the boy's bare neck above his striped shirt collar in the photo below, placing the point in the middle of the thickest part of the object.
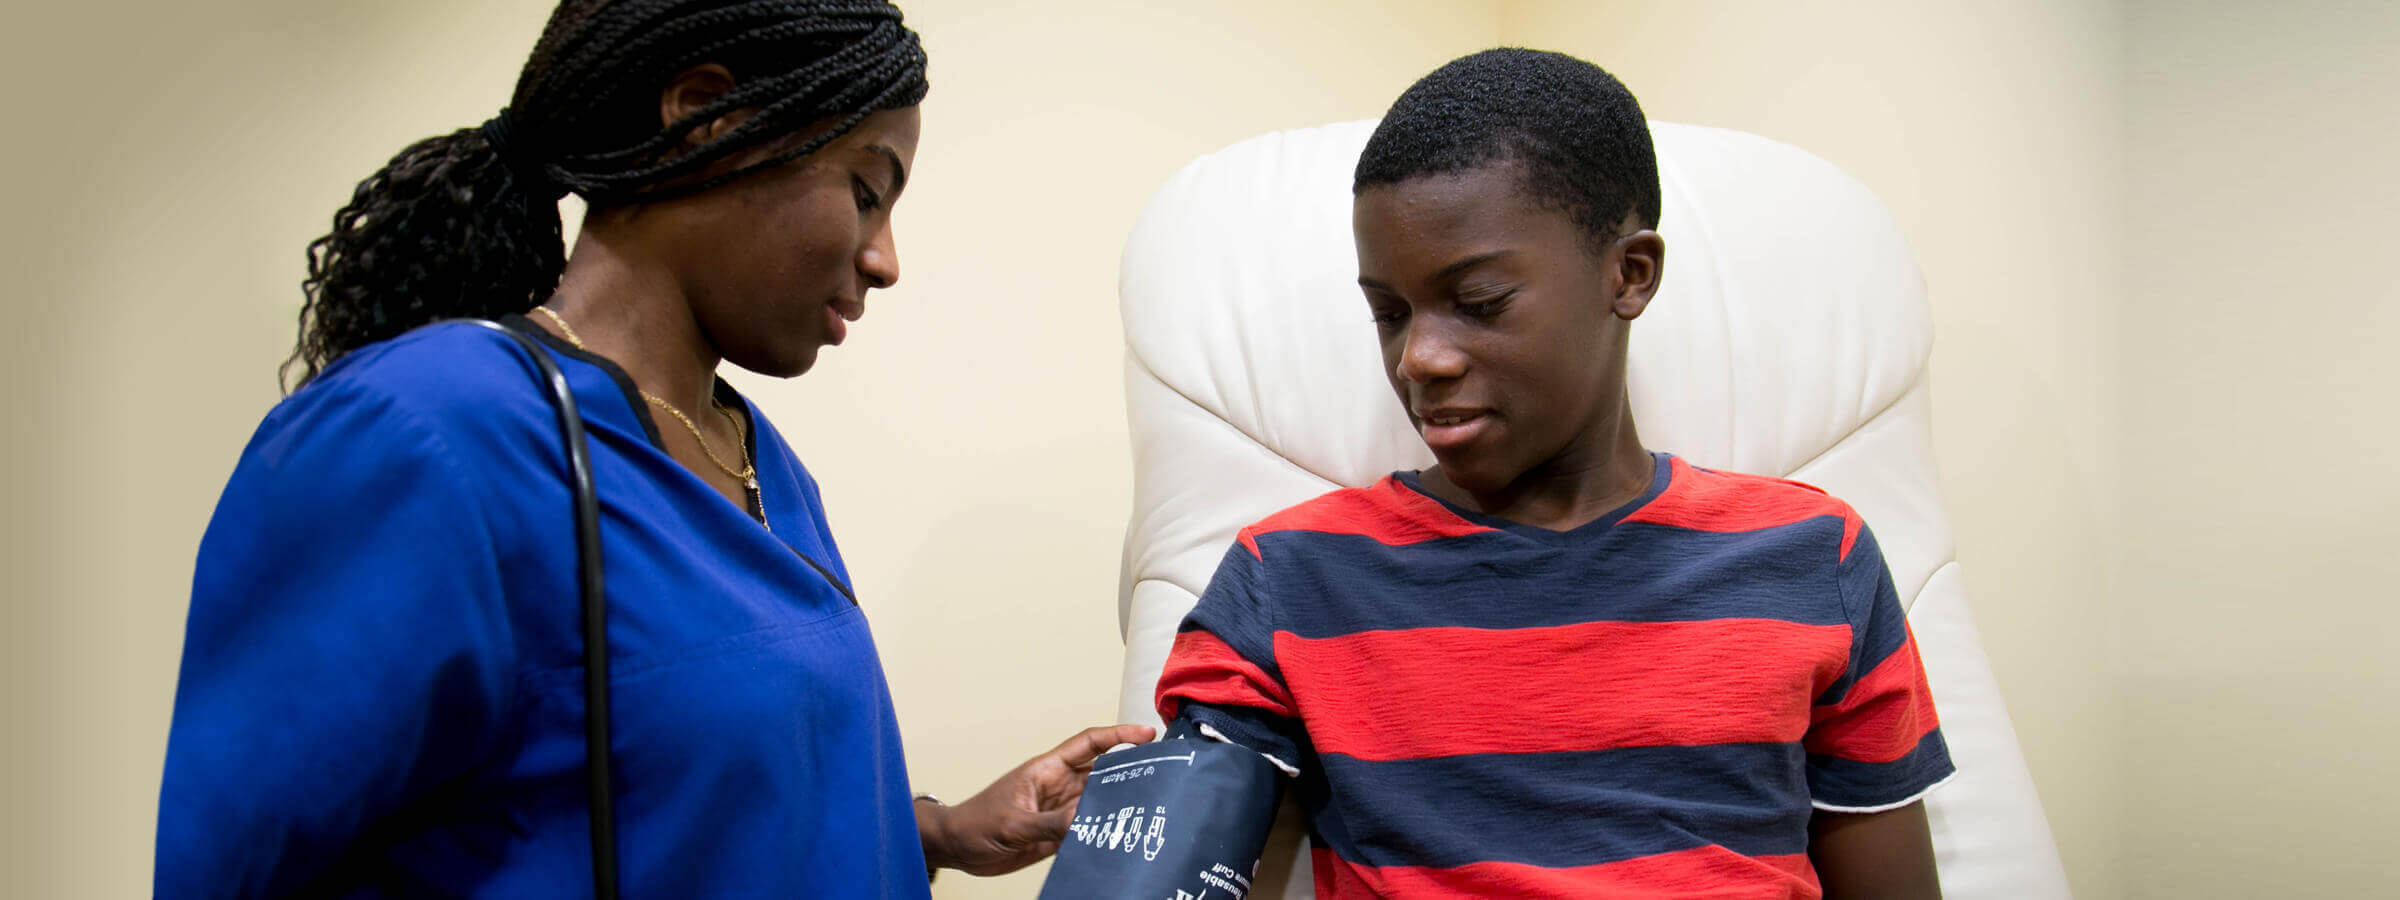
(1571, 491)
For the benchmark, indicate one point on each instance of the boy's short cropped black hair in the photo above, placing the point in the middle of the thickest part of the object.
(1576, 128)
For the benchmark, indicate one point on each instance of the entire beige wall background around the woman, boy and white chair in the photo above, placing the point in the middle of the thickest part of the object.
(2147, 232)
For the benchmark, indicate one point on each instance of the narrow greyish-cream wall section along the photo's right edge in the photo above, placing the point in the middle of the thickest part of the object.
(2262, 424)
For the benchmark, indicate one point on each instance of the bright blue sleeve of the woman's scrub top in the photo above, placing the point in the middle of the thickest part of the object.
(347, 647)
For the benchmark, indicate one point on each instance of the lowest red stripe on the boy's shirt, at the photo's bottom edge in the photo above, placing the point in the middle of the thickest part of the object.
(1700, 872)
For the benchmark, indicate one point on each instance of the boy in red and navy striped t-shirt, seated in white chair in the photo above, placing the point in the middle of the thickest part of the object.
(1559, 664)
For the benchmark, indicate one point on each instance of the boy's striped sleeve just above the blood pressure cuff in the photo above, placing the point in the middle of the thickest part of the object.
(1223, 676)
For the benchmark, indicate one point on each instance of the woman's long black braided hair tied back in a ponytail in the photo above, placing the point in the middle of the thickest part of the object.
(467, 224)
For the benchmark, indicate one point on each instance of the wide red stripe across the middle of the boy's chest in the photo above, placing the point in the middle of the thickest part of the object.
(1576, 688)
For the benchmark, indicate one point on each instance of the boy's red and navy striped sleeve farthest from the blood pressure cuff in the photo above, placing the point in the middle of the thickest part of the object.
(1873, 738)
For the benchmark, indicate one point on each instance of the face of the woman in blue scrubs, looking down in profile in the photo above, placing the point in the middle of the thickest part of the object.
(779, 265)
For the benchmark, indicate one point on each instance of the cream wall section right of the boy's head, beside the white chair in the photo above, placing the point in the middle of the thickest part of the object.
(1993, 133)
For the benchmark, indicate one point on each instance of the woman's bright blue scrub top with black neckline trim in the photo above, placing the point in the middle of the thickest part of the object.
(383, 685)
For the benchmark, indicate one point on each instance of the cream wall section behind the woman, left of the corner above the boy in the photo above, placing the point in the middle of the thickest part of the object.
(169, 164)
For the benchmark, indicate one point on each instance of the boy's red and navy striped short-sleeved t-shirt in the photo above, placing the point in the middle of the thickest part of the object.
(1645, 707)
